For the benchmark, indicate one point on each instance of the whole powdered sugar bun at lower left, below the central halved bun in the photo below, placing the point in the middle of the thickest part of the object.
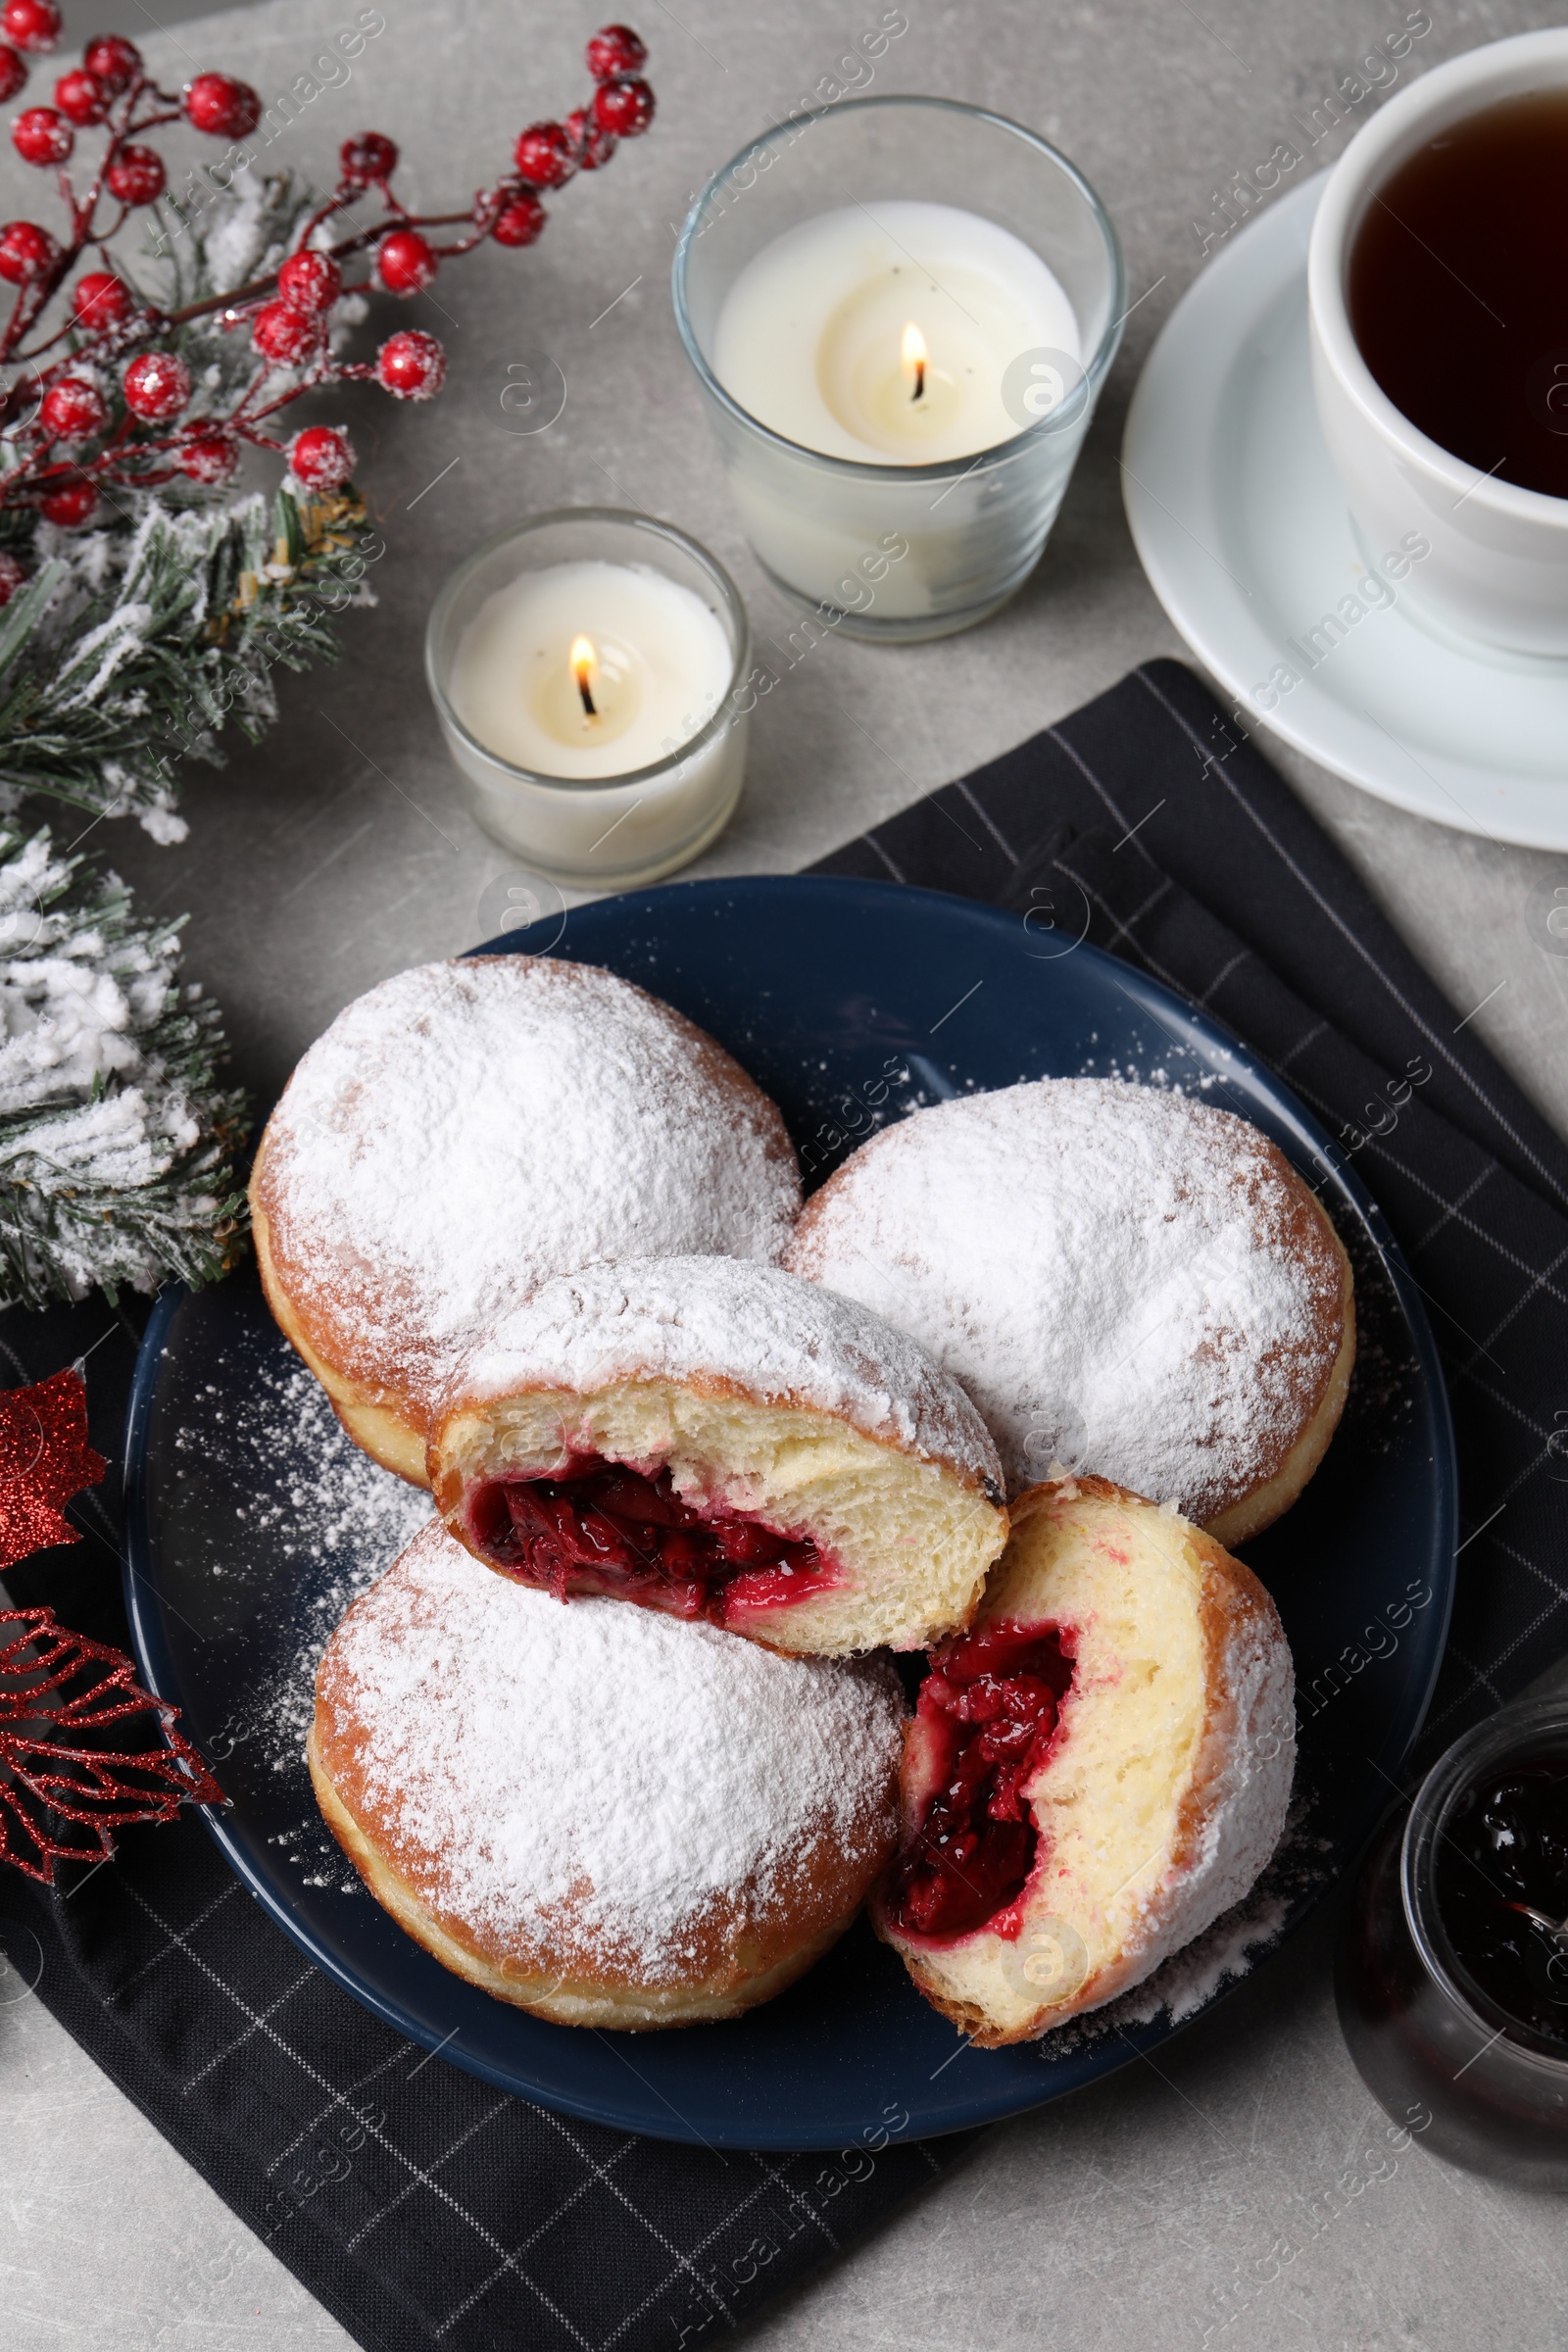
(596, 1812)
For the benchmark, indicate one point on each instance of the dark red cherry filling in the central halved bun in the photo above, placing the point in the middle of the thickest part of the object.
(603, 1528)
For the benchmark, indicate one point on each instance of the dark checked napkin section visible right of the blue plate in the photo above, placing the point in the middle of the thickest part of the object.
(1148, 824)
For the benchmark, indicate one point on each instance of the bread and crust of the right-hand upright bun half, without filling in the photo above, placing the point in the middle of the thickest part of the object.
(1170, 1782)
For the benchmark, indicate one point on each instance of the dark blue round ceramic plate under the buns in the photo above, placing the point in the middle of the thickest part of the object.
(850, 1003)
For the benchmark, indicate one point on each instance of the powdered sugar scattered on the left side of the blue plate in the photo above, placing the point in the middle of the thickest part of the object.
(302, 1495)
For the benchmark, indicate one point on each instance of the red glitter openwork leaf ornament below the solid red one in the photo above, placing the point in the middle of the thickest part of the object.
(60, 1695)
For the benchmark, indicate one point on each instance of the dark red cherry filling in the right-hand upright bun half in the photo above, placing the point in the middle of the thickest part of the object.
(984, 1725)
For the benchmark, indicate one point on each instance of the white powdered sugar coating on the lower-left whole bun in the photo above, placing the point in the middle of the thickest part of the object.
(591, 1772)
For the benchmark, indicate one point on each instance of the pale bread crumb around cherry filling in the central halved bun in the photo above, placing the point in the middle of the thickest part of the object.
(913, 1539)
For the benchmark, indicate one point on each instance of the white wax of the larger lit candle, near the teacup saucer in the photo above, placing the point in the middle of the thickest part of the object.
(890, 338)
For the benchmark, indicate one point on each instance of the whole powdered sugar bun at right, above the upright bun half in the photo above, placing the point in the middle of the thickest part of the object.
(1125, 1283)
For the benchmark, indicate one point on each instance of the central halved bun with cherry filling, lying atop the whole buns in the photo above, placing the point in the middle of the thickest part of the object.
(725, 1443)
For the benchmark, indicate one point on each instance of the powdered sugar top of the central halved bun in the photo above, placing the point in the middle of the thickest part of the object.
(772, 1335)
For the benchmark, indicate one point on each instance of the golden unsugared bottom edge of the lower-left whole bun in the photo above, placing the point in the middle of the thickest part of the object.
(561, 1998)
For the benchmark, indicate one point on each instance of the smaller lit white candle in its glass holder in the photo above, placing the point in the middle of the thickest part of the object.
(589, 676)
